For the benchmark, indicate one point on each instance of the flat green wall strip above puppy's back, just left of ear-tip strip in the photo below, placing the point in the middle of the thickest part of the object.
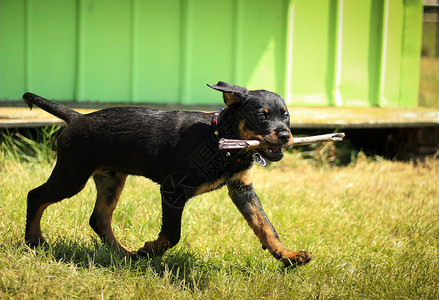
(157, 51)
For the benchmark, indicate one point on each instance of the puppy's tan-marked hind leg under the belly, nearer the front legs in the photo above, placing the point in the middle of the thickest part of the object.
(109, 186)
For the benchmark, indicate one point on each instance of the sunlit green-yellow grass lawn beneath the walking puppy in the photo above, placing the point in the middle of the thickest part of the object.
(372, 227)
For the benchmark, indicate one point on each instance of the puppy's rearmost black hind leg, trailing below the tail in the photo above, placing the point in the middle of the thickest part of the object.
(67, 179)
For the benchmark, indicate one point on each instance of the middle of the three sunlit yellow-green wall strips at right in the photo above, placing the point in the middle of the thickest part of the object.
(357, 61)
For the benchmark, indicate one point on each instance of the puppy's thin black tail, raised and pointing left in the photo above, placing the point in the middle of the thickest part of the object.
(56, 109)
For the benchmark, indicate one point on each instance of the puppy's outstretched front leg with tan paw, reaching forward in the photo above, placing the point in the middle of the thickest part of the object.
(248, 203)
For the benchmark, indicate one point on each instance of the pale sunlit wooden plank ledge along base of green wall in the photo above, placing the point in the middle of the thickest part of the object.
(301, 117)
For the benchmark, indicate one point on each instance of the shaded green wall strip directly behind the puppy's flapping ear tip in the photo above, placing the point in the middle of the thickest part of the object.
(208, 48)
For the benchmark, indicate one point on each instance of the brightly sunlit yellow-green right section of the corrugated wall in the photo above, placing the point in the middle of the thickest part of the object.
(353, 53)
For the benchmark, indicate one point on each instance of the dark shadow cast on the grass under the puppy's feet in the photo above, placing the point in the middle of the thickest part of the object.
(179, 267)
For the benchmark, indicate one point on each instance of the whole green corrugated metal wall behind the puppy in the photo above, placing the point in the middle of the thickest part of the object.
(314, 53)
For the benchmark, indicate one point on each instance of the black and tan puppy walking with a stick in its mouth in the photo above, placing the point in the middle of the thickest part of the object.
(178, 150)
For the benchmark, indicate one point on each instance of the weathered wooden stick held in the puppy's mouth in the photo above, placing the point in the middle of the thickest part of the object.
(297, 141)
